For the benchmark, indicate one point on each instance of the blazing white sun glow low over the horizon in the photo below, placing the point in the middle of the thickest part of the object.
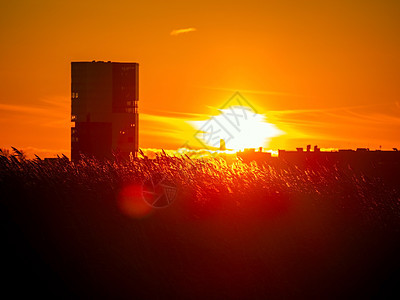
(239, 127)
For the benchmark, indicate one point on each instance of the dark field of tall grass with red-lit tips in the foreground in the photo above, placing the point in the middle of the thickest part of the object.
(247, 233)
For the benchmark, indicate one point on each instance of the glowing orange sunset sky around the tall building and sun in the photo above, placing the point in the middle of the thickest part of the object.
(324, 72)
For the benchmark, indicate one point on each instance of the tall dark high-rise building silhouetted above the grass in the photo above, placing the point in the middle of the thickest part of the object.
(104, 101)
